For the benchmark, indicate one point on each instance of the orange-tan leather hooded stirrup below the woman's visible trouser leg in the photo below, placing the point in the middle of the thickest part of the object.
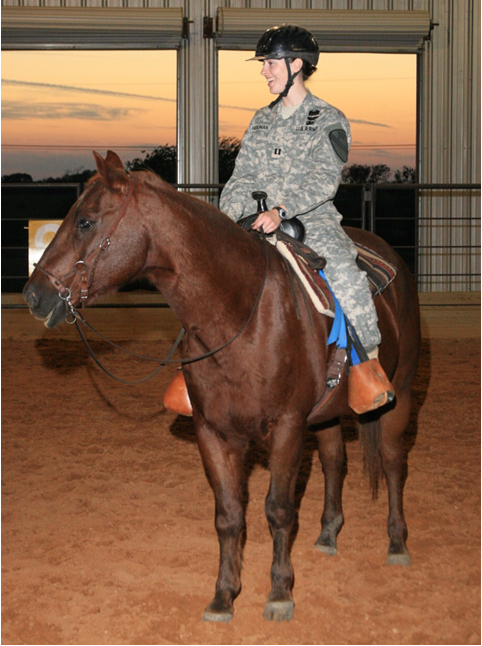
(368, 385)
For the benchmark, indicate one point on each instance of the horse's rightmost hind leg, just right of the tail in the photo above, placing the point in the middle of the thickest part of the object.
(393, 424)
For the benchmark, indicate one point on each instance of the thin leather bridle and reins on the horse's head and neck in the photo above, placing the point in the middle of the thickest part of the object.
(87, 278)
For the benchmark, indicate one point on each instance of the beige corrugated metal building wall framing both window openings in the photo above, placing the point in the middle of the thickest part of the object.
(449, 108)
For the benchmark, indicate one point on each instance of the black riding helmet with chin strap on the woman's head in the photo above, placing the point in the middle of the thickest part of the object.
(287, 41)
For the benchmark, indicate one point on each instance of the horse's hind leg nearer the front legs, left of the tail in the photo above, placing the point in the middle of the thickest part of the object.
(331, 451)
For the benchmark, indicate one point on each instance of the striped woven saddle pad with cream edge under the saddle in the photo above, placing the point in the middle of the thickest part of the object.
(306, 265)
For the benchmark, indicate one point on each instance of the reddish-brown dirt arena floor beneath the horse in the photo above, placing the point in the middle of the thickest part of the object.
(107, 517)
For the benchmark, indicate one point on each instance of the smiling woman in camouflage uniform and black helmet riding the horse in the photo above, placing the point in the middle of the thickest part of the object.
(294, 150)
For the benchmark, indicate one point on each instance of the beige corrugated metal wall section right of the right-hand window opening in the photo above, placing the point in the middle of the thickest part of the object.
(450, 148)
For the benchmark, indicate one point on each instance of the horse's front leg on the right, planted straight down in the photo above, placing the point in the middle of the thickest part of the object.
(286, 451)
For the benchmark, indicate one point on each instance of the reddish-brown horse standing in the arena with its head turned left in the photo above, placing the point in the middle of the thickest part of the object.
(263, 385)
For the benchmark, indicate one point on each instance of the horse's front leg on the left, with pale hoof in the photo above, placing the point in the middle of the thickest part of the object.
(224, 465)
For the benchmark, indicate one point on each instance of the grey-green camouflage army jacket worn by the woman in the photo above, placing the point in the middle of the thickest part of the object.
(297, 161)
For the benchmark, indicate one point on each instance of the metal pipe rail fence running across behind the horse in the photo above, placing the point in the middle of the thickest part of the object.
(440, 245)
